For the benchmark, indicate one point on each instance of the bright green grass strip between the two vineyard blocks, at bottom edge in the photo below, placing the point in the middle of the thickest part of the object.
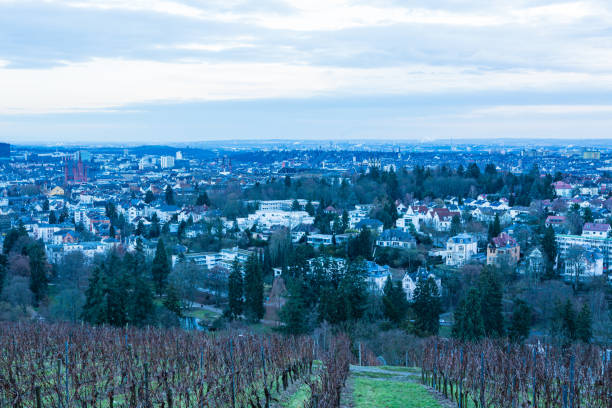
(371, 393)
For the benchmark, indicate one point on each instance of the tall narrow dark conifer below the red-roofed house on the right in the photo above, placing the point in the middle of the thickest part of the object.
(491, 303)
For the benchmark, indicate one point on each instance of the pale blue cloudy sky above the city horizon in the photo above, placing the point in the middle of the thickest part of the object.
(181, 71)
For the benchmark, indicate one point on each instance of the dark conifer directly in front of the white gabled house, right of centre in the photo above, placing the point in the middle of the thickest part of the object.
(427, 307)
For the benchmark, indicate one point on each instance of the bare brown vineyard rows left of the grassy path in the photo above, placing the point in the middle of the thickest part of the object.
(73, 366)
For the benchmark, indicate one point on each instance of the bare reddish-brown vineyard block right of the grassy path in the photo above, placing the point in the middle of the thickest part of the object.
(492, 374)
